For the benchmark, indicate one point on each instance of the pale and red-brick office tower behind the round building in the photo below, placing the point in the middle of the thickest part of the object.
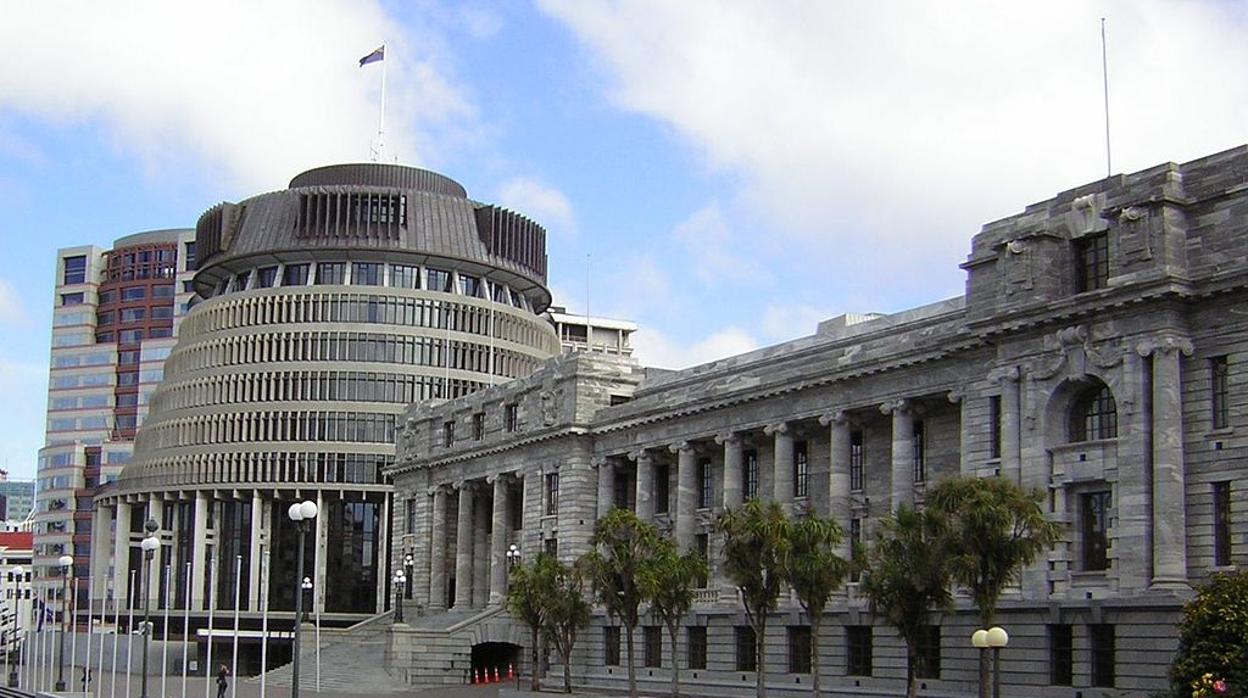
(115, 315)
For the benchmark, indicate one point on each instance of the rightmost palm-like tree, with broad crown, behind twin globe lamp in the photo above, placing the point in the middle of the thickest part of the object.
(995, 530)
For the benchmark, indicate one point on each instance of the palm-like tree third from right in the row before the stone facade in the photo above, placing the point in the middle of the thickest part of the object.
(816, 573)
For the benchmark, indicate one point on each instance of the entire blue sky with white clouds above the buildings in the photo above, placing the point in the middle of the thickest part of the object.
(734, 170)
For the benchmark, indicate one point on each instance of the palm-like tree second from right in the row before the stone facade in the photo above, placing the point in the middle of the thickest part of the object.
(908, 575)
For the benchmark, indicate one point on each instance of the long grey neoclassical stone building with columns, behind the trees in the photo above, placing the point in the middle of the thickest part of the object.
(1098, 355)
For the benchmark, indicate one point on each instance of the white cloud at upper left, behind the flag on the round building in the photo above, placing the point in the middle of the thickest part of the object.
(233, 86)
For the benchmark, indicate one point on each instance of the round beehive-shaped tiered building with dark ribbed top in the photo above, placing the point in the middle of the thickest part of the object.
(321, 312)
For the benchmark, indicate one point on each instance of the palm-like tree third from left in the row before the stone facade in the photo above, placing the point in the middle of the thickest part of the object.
(623, 553)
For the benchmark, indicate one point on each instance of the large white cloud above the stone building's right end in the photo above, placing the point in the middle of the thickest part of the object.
(882, 135)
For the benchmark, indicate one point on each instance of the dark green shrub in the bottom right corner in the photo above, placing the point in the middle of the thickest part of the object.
(1214, 639)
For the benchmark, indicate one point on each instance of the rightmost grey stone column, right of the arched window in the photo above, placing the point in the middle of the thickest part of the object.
(1170, 510)
